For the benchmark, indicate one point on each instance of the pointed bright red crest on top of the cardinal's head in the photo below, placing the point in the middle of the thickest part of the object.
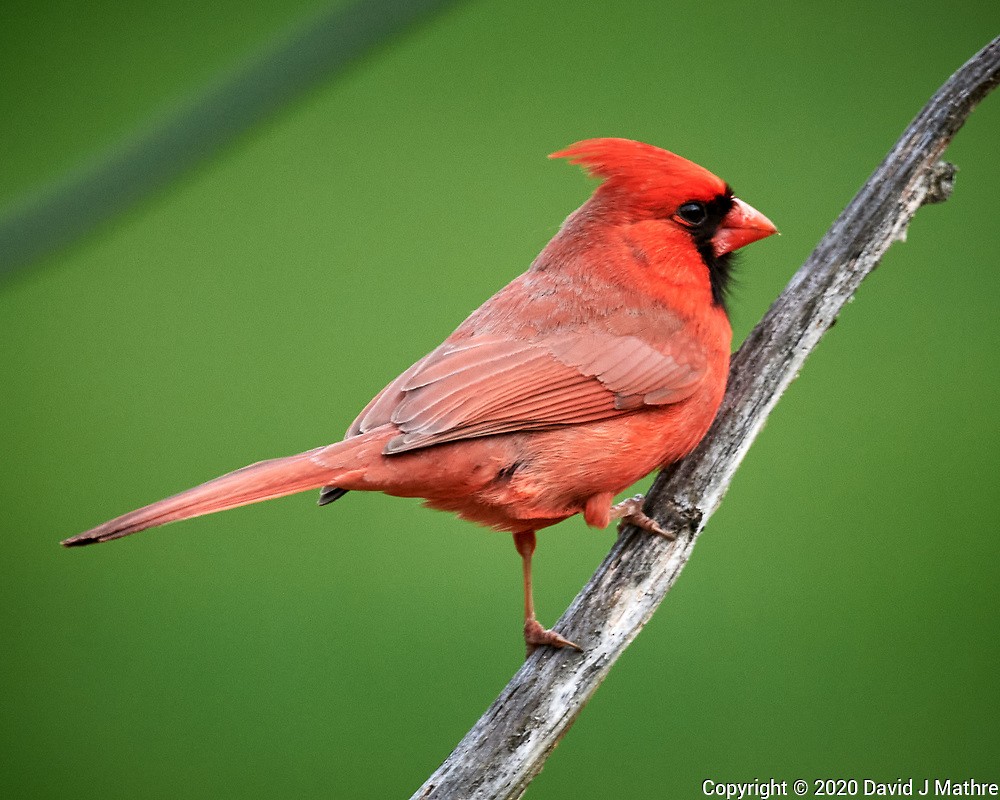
(650, 174)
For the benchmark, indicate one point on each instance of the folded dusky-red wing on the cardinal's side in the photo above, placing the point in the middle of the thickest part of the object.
(482, 386)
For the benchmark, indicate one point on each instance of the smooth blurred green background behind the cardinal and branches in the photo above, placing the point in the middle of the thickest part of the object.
(839, 617)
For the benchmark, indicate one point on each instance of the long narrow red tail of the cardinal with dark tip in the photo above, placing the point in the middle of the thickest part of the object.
(263, 481)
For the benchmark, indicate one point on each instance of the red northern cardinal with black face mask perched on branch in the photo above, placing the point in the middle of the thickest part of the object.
(606, 359)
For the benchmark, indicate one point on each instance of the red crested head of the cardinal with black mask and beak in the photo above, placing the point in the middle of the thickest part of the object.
(643, 183)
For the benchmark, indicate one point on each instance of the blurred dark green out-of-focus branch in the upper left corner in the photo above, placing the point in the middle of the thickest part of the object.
(135, 167)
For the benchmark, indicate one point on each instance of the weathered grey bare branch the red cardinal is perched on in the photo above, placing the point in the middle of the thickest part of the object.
(507, 747)
